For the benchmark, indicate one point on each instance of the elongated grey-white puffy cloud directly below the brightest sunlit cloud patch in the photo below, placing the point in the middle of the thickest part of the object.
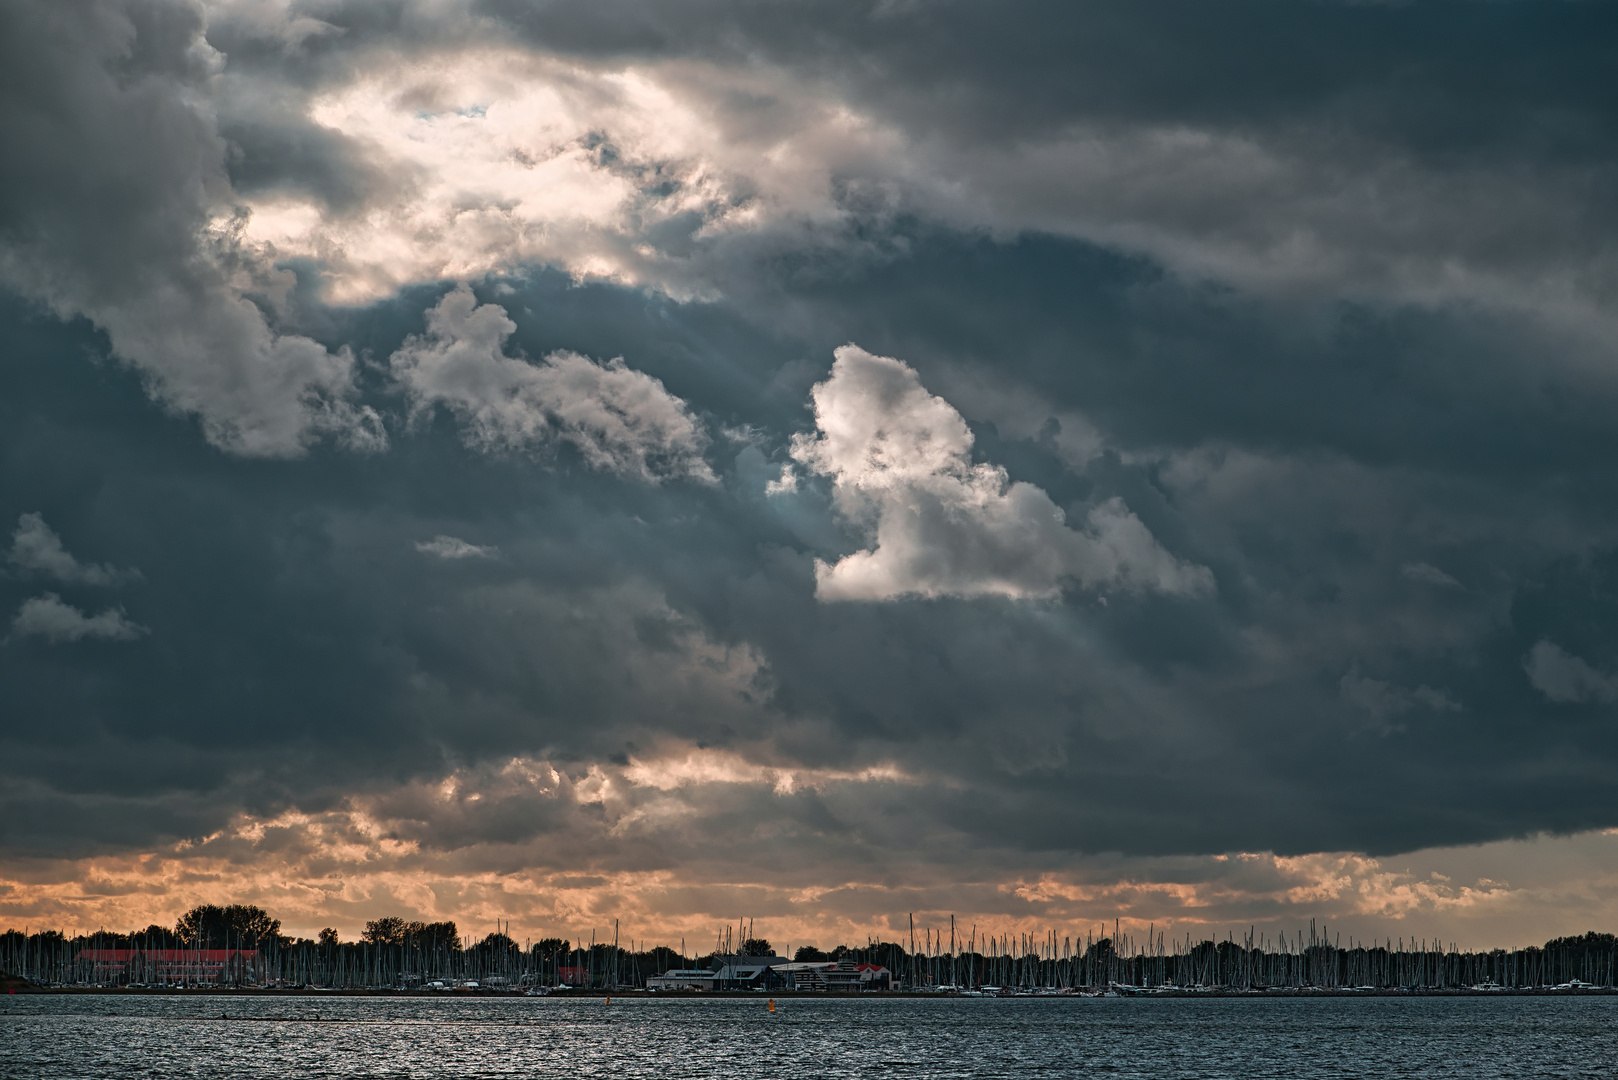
(619, 420)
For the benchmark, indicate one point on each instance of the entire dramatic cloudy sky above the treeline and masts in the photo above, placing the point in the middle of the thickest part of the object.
(811, 462)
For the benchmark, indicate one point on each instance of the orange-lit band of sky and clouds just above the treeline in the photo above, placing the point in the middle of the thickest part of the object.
(345, 867)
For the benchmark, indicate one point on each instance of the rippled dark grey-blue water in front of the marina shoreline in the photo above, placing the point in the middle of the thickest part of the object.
(308, 1039)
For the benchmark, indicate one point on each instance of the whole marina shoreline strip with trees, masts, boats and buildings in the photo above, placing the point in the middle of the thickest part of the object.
(1119, 964)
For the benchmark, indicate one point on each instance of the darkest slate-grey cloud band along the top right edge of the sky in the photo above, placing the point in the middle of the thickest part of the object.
(1030, 67)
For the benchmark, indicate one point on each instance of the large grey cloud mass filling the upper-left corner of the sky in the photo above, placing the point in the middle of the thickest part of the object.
(116, 206)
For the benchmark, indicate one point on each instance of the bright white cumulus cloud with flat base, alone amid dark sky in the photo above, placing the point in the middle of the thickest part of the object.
(900, 464)
